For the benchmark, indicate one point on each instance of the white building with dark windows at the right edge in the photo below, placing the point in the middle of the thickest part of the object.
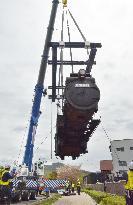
(122, 155)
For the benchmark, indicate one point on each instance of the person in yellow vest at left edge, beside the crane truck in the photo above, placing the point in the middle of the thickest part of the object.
(5, 182)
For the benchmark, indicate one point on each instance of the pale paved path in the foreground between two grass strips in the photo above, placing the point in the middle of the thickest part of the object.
(82, 199)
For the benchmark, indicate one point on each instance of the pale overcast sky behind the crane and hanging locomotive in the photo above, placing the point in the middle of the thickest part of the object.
(23, 26)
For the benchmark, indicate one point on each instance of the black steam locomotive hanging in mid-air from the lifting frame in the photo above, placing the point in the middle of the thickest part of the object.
(76, 125)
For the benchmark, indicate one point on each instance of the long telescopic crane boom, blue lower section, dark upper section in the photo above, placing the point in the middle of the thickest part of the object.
(39, 91)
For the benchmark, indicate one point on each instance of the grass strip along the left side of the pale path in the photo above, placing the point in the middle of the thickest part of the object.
(50, 200)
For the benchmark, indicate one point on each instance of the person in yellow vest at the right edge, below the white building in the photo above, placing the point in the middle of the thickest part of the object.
(129, 185)
